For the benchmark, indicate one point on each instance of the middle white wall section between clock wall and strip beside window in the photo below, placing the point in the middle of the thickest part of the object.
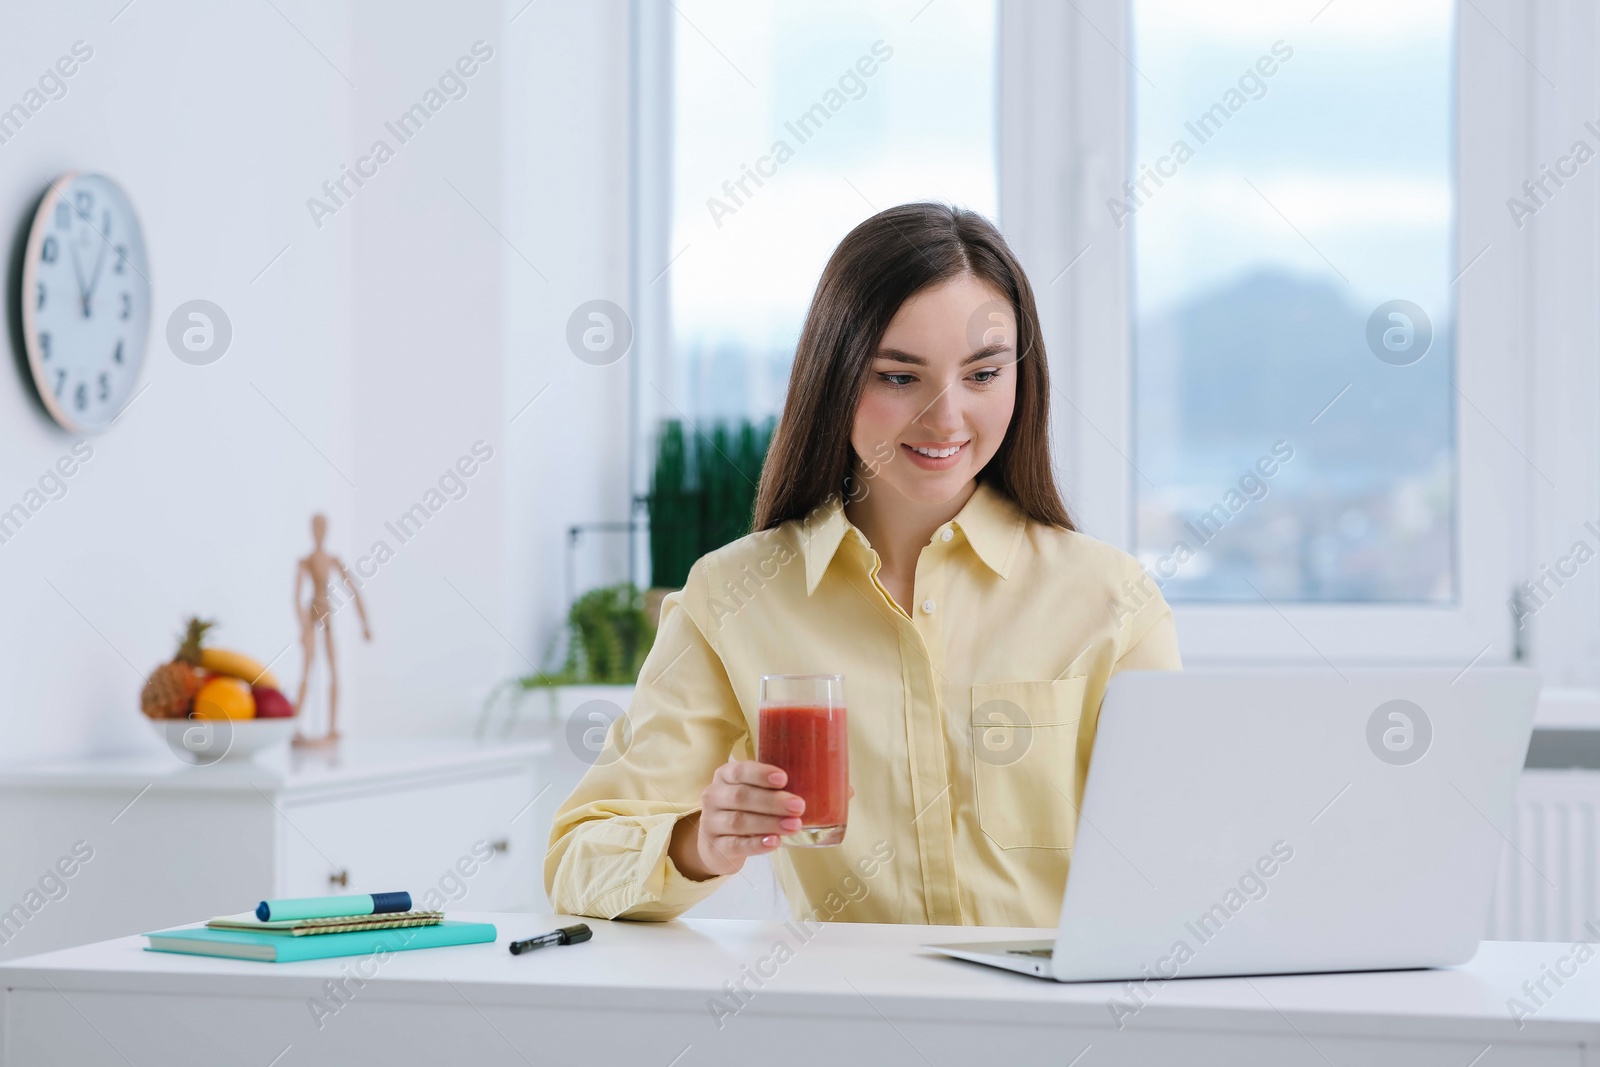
(426, 359)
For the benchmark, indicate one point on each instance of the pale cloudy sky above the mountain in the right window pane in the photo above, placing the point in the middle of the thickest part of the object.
(1353, 142)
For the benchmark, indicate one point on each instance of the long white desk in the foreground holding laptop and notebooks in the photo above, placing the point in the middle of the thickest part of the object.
(639, 996)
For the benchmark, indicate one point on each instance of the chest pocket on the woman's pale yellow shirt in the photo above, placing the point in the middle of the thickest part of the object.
(1025, 761)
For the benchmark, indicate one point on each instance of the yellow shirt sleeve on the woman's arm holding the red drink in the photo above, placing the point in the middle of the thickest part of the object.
(609, 844)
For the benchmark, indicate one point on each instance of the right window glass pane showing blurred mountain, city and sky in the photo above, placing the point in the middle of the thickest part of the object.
(1294, 223)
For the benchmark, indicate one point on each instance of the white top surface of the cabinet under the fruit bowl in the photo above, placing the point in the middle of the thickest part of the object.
(353, 762)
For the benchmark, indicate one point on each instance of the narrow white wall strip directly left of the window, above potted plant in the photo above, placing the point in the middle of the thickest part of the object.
(567, 210)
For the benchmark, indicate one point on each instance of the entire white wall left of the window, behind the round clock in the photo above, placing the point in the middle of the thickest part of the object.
(367, 359)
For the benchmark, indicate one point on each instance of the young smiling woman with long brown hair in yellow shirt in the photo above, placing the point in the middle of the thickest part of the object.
(908, 537)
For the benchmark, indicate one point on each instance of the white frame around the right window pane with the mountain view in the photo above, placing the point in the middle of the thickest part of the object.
(1066, 148)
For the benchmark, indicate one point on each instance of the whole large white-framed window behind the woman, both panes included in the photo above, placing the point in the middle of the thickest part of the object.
(1290, 322)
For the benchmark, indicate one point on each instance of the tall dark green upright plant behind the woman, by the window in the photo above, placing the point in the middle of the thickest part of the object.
(703, 492)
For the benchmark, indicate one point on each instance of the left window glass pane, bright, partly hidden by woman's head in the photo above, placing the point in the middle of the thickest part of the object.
(790, 124)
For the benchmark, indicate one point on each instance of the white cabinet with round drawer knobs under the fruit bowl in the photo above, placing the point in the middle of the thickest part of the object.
(151, 842)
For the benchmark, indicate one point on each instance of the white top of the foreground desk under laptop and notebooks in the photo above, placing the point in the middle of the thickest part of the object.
(863, 970)
